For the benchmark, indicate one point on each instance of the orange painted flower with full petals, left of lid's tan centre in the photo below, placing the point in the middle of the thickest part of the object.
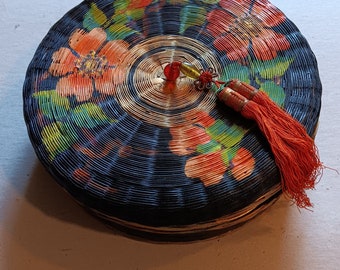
(91, 64)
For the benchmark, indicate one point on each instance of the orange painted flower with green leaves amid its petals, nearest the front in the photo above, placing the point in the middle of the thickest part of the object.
(215, 149)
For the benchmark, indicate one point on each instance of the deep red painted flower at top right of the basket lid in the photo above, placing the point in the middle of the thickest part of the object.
(242, 24)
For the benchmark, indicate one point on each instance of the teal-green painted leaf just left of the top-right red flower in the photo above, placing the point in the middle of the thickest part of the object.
(192, 15)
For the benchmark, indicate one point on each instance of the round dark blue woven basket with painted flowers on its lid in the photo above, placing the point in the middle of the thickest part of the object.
(159, 162)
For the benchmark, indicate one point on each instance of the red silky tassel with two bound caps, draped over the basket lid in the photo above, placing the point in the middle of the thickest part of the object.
(294, 151)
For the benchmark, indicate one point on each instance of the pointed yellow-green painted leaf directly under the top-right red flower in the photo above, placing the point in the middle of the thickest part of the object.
(272, 68)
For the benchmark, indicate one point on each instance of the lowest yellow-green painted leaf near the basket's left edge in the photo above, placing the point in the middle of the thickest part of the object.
(57, 138)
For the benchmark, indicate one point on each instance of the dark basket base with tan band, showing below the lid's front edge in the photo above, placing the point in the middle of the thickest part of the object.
(193, 232)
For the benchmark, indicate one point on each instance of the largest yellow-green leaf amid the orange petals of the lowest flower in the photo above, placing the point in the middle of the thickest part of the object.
(228, 136)
